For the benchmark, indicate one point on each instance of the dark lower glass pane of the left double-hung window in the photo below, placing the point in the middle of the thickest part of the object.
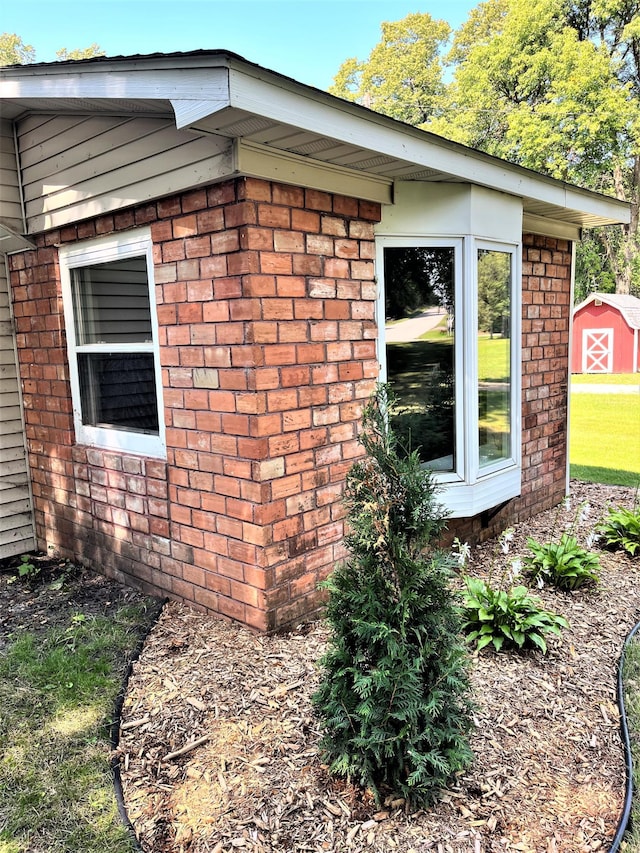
(118, 390)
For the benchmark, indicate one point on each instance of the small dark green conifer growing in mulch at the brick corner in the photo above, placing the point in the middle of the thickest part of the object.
(394, 693)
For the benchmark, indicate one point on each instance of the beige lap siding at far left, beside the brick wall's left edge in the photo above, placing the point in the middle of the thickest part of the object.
(16, 514)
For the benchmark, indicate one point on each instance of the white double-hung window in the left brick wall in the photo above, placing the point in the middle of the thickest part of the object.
(112, 341)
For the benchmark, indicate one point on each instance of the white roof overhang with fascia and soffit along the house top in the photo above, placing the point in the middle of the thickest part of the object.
(220, 93)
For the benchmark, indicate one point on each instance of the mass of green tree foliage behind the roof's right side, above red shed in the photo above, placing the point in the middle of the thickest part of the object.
(552, 85)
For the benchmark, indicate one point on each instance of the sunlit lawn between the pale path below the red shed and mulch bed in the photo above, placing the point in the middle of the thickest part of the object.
(605, 438)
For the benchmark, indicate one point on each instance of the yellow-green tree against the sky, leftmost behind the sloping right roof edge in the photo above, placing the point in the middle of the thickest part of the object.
(403, 76)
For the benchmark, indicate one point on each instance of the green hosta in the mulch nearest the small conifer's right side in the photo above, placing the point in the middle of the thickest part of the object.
(509, 619)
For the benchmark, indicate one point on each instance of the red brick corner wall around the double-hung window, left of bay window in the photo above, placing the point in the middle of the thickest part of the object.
(266, 304)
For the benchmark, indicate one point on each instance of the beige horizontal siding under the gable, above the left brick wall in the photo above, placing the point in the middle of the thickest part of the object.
(76, 167)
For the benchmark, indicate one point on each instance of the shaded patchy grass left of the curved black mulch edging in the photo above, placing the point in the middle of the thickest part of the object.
(57, 693)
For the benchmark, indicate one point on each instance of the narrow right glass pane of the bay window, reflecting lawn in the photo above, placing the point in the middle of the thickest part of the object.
(494, 355)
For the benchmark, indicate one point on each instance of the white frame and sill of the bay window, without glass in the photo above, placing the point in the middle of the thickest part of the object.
(469, 490)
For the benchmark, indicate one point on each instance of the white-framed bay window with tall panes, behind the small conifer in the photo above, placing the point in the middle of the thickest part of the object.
(450, 351)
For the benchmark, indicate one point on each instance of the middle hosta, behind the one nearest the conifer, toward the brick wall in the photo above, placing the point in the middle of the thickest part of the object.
(564, 564)
